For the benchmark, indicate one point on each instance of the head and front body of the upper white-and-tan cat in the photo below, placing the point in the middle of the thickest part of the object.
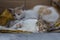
(23, 14)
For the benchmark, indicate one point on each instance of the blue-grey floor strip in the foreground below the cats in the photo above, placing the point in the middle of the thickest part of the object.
(39, 36)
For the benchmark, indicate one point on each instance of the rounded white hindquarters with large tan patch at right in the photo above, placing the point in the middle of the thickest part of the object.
(49, 14)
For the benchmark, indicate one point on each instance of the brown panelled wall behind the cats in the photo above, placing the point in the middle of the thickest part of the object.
(16, 3)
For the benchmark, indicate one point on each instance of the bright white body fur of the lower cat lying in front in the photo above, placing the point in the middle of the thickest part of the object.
(28, 25)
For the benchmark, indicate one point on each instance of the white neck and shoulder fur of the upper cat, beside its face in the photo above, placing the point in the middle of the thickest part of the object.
(27, 14)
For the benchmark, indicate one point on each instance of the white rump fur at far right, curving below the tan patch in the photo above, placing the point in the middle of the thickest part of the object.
(53, 17)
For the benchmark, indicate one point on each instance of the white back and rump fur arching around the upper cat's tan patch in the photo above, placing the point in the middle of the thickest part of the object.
(49, 18)
